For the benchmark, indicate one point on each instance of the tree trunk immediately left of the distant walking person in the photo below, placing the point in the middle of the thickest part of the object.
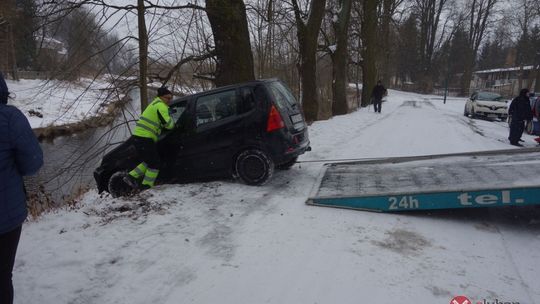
(369, 38)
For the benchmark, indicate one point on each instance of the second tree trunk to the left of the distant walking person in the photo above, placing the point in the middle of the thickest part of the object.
(340, 60)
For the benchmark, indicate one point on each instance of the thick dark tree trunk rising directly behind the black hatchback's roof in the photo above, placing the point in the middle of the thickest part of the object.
(231, 37)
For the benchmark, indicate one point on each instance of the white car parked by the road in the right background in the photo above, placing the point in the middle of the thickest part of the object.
(486, 104)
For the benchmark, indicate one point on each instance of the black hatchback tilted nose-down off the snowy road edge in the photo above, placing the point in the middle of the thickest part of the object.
(244, 130)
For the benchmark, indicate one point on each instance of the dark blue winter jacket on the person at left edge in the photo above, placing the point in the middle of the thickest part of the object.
(20, 154)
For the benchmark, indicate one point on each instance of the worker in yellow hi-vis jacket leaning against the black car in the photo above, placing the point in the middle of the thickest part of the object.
(145, 135)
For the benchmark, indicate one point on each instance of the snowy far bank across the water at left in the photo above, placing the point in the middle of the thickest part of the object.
(52, 102)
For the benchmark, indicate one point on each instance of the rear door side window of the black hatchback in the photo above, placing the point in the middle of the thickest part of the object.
(215, 107)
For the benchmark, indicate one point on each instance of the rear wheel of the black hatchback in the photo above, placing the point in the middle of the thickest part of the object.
(254, 167)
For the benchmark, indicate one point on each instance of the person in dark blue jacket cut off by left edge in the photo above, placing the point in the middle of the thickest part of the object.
(20, 154)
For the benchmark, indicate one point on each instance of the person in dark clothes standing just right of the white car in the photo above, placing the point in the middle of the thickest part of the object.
(520, 111)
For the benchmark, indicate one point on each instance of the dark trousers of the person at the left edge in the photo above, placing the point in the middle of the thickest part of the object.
(8, 248)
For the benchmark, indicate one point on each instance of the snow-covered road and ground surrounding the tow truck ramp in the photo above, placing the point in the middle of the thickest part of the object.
(225, 242)
